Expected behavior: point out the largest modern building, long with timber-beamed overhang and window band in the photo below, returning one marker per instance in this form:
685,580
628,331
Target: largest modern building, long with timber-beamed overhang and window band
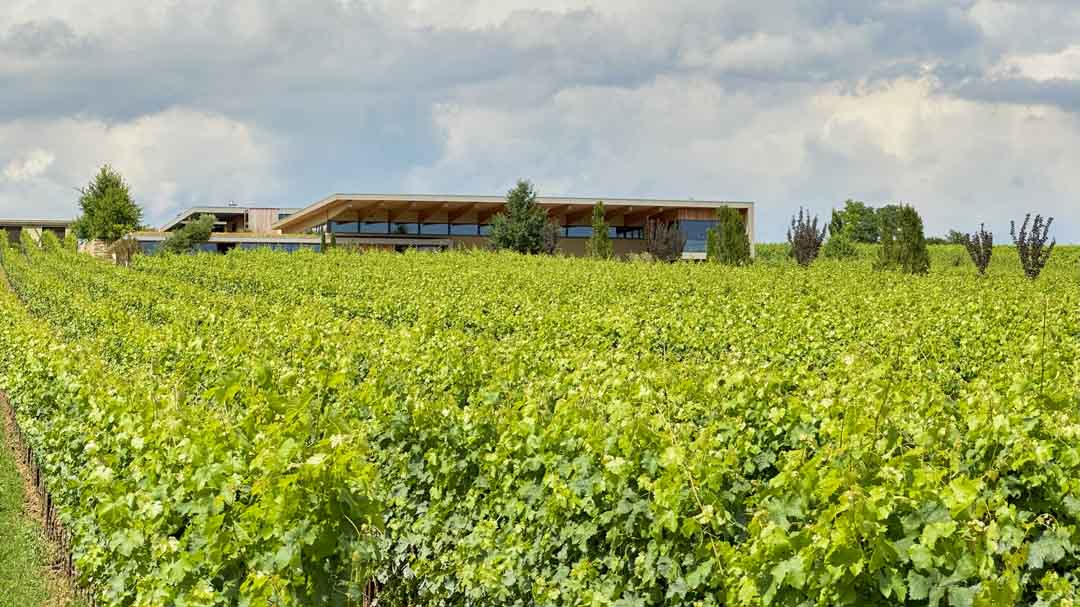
443,222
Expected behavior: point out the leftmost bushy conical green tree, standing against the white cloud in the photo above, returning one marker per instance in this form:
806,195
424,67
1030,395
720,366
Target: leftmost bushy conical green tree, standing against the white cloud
109,212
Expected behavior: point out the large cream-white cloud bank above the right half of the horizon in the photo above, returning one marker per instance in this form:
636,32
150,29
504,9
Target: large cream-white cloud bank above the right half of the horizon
958,161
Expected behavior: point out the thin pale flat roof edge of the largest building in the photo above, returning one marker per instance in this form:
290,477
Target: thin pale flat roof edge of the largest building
325,206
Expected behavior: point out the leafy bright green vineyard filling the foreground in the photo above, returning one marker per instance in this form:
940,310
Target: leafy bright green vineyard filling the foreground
471,429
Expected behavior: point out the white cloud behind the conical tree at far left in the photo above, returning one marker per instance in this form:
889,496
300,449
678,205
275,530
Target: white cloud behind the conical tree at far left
172,159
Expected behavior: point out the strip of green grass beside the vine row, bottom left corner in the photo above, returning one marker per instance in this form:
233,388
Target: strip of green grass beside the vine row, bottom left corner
22,547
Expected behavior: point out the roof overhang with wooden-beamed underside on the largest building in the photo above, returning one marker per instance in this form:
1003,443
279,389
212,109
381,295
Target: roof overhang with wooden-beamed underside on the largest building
334,206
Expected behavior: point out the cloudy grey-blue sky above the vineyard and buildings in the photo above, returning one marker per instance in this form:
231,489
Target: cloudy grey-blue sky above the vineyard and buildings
966,110
